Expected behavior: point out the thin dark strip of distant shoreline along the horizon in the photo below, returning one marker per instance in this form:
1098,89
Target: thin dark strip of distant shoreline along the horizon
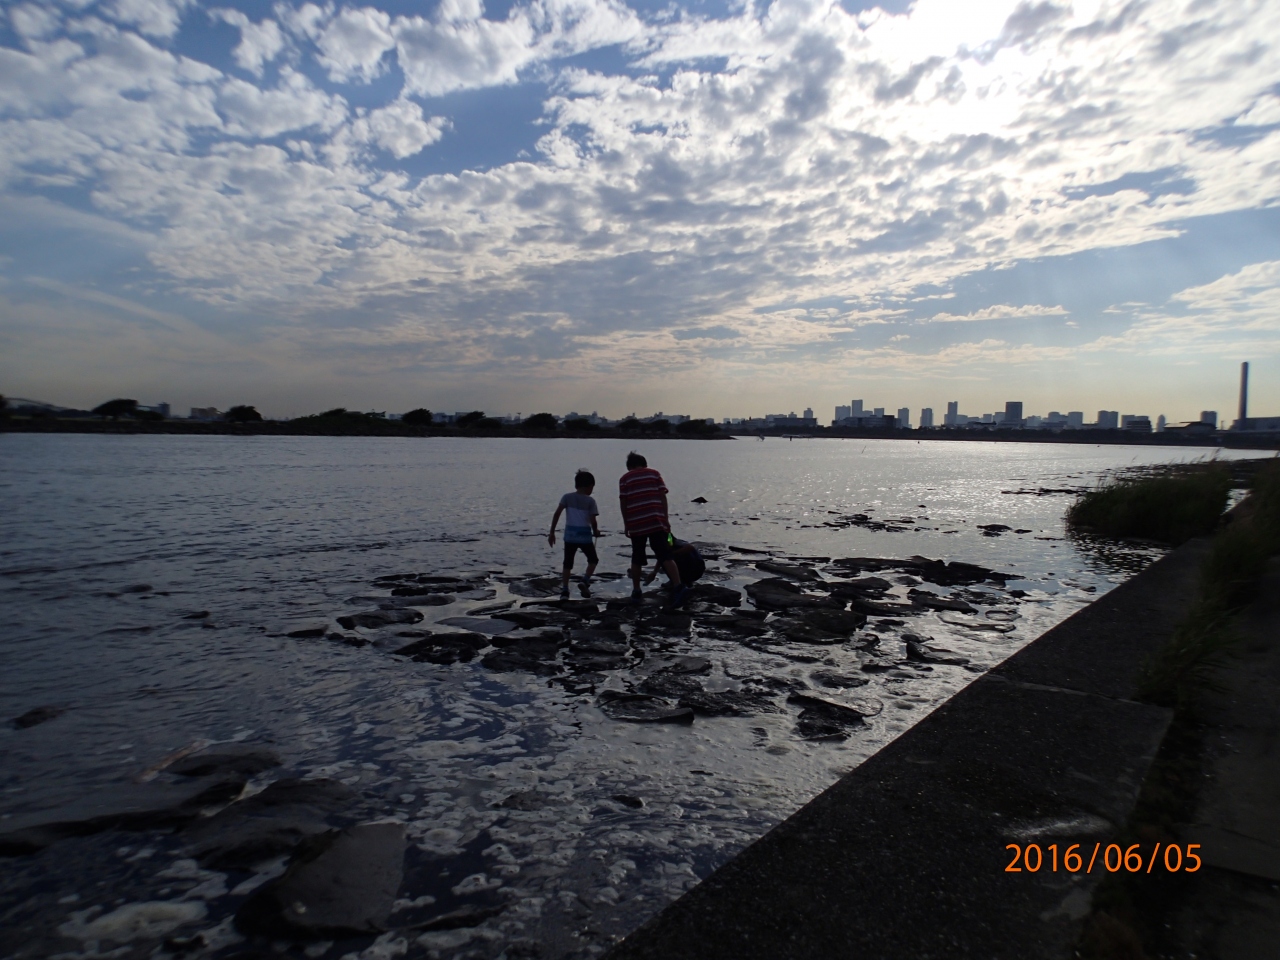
394,428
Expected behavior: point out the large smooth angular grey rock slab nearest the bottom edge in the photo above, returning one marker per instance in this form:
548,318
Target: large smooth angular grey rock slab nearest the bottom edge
339,884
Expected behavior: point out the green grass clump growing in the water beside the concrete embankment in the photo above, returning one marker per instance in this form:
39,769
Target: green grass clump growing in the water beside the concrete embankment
1171,508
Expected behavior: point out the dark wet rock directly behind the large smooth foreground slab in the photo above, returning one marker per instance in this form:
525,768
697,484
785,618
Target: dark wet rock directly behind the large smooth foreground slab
268,824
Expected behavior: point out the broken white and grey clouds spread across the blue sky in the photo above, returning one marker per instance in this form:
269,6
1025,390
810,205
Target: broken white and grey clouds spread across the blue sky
687,171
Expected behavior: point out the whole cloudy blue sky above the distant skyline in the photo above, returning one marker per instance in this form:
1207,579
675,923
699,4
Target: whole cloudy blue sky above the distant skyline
706,208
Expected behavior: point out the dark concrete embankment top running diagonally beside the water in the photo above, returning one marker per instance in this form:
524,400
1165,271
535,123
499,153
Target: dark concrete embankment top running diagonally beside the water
907,856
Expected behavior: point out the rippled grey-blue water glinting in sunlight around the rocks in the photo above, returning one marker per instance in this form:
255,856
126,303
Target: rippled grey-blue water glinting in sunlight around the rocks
271,534
